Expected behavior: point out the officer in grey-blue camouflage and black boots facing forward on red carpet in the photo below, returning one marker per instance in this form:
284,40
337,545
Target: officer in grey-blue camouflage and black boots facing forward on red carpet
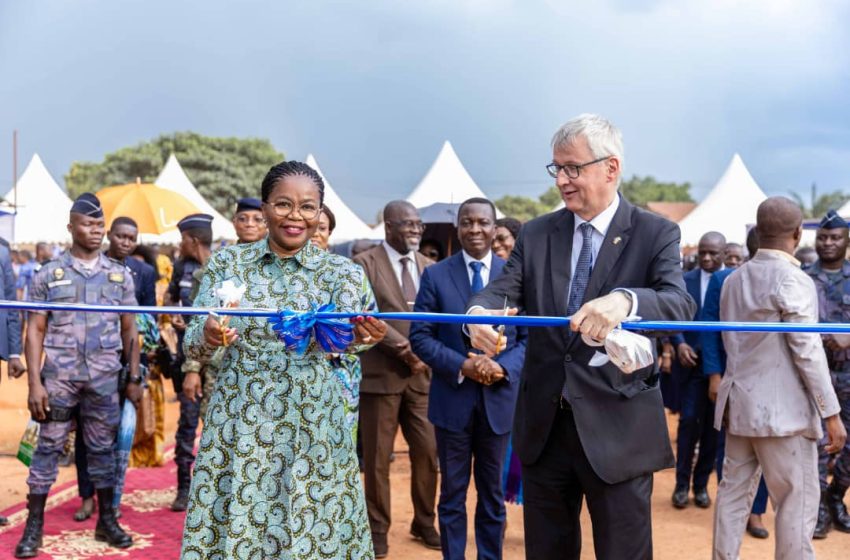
82,363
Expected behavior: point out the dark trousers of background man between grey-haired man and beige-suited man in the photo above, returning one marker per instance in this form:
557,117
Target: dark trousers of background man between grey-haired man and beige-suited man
696,425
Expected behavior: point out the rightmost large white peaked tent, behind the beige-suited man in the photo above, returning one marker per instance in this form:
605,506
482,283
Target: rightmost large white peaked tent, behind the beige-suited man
728,208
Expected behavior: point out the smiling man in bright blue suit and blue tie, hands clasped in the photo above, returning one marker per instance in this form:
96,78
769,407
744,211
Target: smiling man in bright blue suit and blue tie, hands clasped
472,397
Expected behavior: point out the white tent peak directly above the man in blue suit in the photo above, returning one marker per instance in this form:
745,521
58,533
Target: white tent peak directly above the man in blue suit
446,181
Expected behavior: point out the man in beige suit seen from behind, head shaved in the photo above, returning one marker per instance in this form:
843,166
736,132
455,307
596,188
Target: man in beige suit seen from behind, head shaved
775,392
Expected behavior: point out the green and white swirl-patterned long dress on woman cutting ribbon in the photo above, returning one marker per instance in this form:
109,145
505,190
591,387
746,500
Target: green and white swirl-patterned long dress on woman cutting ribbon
277,474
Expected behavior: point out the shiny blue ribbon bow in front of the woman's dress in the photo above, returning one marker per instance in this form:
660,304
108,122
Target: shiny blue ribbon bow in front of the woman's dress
296,330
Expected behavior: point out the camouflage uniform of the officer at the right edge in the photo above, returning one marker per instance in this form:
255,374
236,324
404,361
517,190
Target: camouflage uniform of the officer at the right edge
834,307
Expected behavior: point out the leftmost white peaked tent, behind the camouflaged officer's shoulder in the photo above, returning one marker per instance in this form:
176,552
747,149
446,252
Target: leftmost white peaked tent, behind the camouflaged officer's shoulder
43,207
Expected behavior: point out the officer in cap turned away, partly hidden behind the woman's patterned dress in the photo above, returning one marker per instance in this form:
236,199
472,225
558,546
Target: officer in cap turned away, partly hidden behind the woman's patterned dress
195,249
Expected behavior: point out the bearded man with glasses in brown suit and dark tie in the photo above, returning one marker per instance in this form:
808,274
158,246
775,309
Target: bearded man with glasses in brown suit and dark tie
394,390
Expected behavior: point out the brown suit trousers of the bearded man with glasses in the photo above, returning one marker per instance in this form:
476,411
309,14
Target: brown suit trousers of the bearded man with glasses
380,417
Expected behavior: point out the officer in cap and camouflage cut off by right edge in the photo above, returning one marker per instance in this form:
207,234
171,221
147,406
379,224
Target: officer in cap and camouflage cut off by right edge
831,273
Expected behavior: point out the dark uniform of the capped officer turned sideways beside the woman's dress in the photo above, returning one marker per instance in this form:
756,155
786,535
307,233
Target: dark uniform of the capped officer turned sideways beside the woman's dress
187,425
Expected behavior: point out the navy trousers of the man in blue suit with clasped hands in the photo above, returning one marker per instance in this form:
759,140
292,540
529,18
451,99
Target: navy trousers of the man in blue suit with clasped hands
456,450
